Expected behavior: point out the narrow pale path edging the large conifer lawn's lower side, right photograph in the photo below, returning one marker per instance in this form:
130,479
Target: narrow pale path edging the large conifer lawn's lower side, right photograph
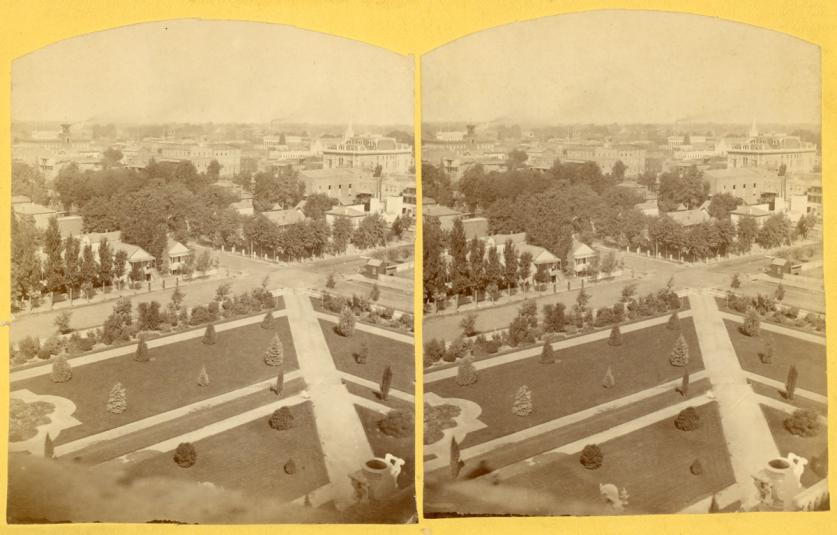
443,458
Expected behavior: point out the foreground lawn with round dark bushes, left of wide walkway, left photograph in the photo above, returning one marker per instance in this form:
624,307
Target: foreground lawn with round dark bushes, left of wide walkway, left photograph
250,458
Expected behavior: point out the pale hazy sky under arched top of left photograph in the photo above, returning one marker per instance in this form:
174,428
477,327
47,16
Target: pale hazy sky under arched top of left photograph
201,71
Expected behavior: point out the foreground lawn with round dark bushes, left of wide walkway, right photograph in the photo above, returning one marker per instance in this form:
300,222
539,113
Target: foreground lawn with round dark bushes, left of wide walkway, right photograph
651,463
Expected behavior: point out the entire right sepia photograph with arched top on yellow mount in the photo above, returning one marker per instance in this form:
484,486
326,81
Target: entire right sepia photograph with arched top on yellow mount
624,307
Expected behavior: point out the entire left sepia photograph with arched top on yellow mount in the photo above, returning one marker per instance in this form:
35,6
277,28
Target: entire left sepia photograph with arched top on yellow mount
212,264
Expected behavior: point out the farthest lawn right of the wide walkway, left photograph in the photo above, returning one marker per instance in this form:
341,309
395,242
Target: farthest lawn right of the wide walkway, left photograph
382,352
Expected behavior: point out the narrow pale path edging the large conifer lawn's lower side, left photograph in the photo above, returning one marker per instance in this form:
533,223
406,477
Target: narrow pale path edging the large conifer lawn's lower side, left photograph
163,417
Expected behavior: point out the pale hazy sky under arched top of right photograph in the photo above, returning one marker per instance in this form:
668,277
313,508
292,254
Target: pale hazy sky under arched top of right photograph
621,66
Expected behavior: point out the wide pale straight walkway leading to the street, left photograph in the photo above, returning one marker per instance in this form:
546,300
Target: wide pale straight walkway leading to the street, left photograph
345,445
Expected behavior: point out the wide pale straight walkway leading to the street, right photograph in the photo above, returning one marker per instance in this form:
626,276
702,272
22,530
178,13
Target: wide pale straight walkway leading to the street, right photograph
749,440
